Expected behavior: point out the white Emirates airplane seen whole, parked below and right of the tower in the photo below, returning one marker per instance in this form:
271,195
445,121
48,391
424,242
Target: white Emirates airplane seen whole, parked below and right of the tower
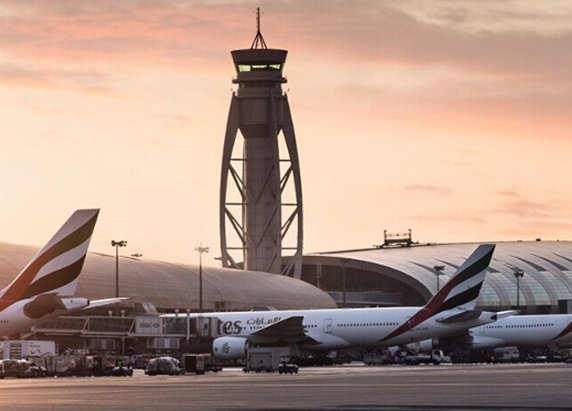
450,311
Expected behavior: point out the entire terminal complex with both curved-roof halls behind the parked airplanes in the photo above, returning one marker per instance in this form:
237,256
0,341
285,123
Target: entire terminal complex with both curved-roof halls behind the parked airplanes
379,276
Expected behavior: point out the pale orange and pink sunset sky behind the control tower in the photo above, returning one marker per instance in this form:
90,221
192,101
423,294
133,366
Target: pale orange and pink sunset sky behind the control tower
452,118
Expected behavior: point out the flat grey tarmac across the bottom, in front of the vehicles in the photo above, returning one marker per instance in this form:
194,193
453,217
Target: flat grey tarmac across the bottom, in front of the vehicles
352,387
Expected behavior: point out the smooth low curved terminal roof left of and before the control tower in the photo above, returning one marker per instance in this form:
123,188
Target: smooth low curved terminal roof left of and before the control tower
171,286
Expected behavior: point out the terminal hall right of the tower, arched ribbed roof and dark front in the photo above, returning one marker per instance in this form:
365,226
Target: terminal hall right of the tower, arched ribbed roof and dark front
534,276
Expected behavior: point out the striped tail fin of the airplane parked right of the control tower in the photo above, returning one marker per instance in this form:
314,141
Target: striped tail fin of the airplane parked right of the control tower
463,288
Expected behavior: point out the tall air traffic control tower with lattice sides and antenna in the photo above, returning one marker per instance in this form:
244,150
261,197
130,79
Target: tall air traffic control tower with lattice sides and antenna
257,224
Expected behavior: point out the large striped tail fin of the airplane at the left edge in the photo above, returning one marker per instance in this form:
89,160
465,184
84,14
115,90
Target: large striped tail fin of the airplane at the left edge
56,267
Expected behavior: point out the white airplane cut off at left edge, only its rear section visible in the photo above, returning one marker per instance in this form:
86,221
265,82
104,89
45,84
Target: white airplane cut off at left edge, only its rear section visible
44,289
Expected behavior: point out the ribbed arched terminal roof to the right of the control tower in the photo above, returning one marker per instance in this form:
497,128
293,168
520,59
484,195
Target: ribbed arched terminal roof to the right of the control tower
547,268
